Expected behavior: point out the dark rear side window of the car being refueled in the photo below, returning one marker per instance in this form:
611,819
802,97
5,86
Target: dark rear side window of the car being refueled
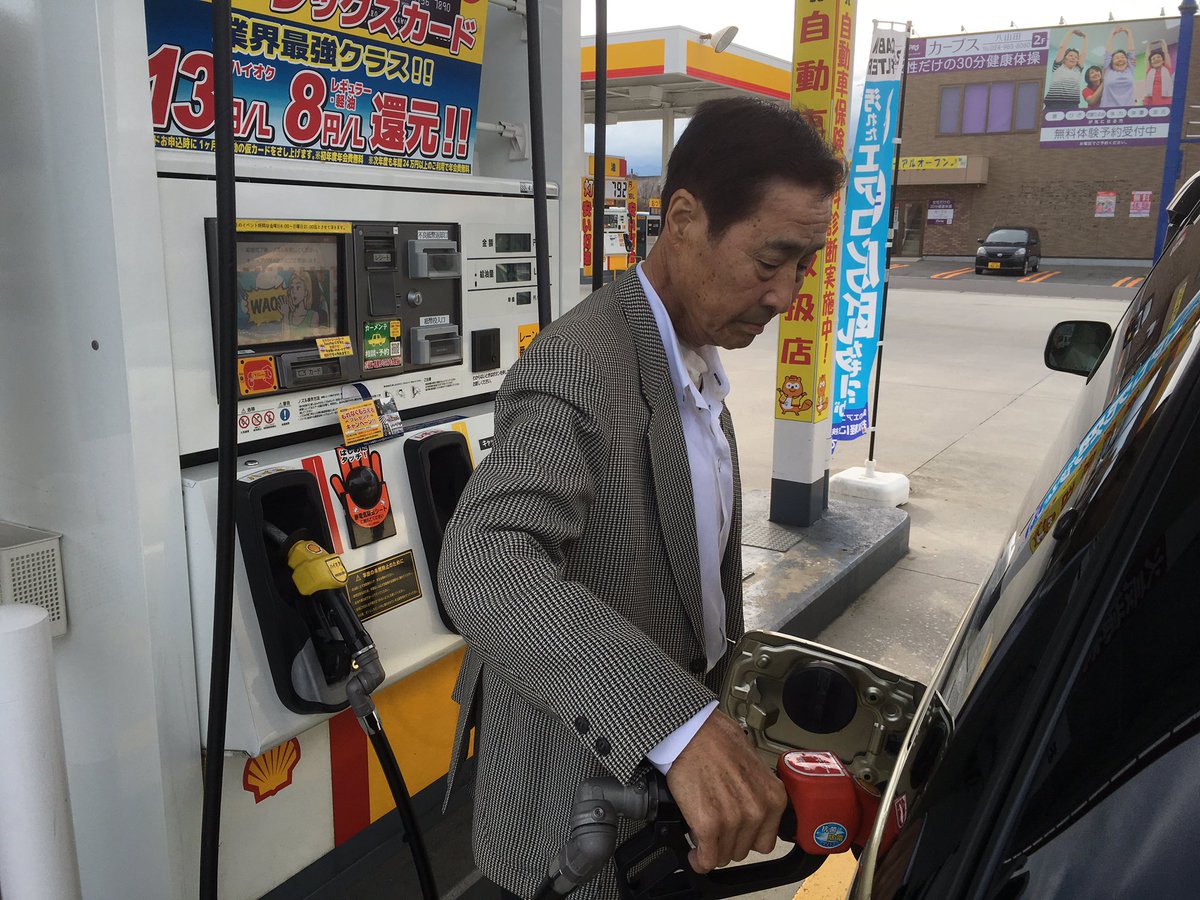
1112,808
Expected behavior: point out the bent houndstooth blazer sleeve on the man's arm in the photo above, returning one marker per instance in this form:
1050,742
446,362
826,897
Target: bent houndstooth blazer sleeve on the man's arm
501,574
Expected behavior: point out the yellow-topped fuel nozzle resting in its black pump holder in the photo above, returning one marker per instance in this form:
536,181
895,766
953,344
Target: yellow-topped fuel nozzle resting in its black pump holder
321,575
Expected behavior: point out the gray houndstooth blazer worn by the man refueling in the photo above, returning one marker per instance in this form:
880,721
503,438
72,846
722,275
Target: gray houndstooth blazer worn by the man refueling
572,569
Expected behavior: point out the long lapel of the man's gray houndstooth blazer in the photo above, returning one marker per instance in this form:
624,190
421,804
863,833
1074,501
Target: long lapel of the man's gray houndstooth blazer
669,452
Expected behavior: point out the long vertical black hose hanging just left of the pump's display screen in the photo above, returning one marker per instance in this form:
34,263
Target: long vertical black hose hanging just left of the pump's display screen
227,449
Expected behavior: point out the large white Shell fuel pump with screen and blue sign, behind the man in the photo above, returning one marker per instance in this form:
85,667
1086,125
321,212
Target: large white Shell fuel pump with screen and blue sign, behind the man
386,263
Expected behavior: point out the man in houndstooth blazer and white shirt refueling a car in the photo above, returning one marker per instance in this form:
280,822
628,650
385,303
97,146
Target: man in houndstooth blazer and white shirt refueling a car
593,563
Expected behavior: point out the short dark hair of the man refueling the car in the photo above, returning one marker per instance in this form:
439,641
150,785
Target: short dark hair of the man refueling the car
735,147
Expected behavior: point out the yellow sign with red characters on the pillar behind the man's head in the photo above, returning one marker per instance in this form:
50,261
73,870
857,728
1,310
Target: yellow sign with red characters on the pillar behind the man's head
821,63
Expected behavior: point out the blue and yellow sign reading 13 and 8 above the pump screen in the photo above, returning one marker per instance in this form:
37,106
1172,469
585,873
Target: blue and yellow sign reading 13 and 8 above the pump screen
382,83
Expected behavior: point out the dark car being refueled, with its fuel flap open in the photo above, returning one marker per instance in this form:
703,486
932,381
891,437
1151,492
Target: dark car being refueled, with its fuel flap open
1057,753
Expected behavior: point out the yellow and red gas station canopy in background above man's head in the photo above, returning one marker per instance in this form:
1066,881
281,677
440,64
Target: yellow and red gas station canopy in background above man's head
657,73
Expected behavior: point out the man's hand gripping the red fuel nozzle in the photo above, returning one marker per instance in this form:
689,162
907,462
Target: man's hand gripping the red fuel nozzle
730,800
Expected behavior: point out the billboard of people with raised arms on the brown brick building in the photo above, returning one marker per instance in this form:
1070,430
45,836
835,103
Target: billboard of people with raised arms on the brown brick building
1097,98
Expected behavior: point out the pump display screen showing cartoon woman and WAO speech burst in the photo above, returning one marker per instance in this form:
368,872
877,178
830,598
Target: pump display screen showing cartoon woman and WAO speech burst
287,290
